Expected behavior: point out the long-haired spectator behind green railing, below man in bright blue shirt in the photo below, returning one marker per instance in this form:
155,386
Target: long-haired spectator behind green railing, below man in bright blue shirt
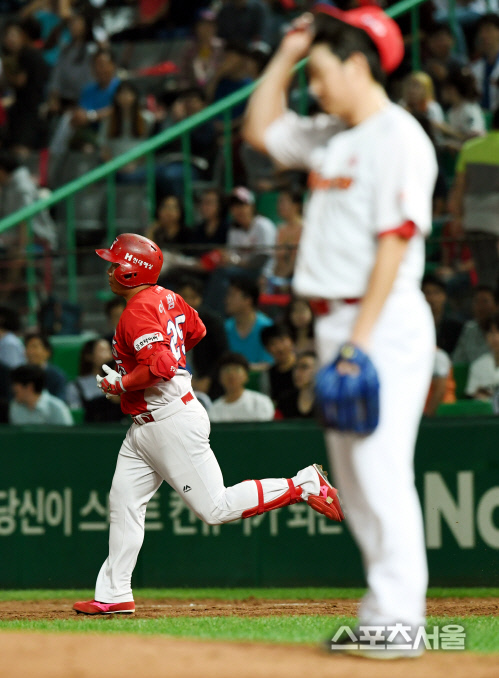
127,125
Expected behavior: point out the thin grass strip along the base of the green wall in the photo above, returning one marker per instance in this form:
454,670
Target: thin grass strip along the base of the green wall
239,593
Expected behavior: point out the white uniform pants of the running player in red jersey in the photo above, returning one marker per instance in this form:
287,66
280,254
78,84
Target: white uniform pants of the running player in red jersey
175,449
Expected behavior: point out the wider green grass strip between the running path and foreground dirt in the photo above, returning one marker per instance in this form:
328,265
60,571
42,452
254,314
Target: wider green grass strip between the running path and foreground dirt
482,632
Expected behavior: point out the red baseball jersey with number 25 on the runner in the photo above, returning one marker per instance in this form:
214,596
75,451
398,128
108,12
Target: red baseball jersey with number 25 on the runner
155,315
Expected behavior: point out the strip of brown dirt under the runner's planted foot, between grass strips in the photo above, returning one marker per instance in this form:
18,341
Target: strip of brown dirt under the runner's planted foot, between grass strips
253,607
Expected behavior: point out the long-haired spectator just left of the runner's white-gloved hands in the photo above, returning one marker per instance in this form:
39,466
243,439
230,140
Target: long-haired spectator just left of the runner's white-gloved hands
83,392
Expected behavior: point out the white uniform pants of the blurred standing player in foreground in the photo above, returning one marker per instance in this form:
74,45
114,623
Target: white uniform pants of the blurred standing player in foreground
374,474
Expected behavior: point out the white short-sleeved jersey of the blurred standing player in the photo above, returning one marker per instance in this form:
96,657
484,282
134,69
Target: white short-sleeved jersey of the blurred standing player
365,181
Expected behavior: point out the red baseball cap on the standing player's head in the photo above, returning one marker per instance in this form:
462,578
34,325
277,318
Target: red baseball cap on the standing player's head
382,30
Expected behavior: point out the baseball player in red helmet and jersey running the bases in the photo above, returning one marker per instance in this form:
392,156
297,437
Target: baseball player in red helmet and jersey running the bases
169,437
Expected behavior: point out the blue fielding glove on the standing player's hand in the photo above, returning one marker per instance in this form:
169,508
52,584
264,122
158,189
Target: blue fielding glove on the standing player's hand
349,402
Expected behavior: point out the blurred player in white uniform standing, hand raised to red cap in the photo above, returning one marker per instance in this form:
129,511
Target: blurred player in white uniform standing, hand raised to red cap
372,172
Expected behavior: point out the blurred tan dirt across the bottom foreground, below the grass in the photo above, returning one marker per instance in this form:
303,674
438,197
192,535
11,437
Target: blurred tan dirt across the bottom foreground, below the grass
42,655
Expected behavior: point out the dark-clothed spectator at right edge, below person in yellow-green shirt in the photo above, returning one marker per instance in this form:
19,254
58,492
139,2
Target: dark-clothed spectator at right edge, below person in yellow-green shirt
472,342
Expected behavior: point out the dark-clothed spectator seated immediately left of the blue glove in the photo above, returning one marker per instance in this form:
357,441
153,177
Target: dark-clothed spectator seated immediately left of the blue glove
299,403
